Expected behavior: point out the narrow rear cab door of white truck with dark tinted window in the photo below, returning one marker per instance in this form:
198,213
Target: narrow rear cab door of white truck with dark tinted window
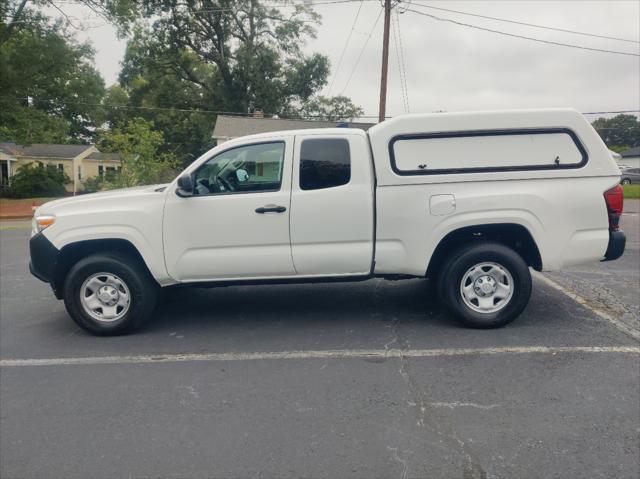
332,205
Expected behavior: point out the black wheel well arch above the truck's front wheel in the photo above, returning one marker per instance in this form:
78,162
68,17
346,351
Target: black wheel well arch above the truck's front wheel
74,252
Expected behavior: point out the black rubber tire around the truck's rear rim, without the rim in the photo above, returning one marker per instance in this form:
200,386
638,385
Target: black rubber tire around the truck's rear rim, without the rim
461,261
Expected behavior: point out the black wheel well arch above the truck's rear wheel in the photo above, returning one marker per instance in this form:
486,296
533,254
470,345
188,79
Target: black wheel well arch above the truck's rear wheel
514,236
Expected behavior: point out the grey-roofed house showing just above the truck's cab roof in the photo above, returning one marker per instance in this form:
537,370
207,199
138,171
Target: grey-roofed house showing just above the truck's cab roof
229,127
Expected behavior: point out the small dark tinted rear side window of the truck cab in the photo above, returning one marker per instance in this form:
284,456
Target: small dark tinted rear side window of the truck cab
324,163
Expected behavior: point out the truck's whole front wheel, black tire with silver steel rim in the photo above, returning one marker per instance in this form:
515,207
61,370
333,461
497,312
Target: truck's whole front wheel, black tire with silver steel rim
129,289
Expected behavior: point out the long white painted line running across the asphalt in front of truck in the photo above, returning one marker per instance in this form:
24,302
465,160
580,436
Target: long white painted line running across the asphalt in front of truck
330,354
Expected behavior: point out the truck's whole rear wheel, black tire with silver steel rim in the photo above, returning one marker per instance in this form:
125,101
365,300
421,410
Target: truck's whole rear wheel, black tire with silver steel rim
493,266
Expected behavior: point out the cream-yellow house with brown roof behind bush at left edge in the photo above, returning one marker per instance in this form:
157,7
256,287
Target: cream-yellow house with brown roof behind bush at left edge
79,162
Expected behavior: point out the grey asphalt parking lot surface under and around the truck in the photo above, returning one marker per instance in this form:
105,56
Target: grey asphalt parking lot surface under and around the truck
369,379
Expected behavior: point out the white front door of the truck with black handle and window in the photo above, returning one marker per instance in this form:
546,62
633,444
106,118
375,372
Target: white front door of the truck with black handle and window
236,226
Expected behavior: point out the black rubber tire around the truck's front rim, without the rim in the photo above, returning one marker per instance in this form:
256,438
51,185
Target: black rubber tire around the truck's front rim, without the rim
142,288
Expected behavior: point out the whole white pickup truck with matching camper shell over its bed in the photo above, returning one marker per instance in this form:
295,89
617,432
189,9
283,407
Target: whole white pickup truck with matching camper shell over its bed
471,199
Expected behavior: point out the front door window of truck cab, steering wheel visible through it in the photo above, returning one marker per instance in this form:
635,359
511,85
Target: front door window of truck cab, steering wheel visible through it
245,169
